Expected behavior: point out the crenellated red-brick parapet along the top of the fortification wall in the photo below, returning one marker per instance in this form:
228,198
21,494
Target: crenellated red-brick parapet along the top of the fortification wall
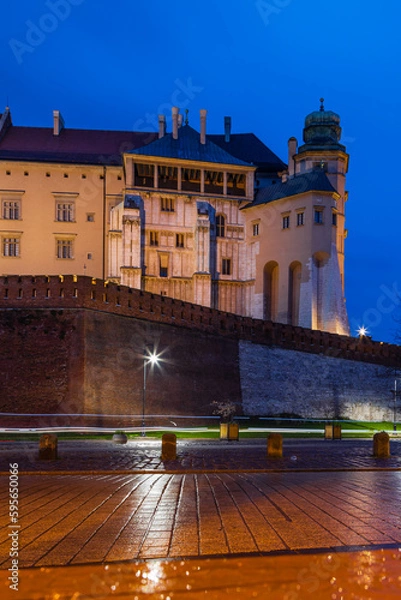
83,292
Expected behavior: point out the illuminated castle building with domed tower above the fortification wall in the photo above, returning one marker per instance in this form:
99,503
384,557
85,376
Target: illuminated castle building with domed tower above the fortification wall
216,220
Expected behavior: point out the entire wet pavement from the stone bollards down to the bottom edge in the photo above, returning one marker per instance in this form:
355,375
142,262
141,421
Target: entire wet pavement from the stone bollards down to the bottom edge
223,519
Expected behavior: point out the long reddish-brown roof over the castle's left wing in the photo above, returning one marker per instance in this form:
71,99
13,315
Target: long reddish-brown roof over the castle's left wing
82,146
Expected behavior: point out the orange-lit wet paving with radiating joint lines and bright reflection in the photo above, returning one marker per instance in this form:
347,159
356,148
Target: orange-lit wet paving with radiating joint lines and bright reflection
88,518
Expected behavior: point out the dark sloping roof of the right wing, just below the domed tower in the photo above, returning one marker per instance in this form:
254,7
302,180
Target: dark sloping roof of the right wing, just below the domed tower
315,181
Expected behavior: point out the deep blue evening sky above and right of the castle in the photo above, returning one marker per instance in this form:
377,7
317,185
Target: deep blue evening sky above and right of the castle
266,63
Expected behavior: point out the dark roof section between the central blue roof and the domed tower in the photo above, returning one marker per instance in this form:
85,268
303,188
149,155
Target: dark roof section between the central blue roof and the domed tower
248,147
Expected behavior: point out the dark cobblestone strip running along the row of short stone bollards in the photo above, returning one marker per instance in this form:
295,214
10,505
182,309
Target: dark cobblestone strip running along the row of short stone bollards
200,455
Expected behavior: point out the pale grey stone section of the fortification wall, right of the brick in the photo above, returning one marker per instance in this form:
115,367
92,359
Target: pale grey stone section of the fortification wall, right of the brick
276,381
